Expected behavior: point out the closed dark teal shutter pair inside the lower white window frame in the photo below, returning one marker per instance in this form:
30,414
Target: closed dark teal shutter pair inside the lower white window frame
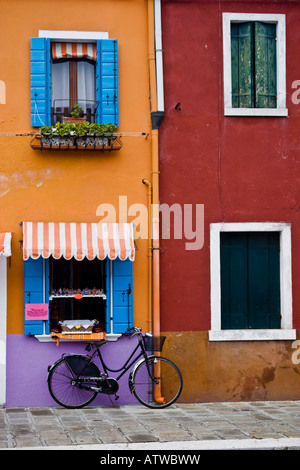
250,280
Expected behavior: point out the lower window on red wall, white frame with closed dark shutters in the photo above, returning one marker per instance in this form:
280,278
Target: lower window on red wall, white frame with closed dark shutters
251,281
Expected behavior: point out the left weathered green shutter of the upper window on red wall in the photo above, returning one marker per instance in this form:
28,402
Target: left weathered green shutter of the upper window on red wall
242,65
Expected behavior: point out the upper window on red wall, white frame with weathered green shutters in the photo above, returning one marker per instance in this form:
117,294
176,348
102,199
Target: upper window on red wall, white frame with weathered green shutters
254,64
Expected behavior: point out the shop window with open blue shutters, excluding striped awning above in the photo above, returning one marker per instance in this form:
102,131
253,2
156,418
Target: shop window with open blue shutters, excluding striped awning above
110,303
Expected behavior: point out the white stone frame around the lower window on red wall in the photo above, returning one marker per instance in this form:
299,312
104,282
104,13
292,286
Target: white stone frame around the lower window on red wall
286,332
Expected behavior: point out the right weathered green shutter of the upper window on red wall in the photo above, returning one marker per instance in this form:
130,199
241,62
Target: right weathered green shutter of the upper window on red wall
265,65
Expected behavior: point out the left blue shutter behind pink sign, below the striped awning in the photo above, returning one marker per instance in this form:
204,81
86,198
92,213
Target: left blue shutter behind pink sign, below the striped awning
36,290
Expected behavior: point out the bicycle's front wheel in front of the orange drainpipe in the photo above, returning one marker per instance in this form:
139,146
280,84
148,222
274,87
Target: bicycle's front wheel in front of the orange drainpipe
156,382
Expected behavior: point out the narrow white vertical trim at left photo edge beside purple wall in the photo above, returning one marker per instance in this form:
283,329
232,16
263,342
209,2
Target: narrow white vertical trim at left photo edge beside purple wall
3,315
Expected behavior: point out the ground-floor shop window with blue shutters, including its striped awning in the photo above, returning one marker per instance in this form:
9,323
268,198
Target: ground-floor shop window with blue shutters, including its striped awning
78,271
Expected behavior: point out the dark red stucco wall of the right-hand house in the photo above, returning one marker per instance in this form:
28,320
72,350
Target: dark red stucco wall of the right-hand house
243,169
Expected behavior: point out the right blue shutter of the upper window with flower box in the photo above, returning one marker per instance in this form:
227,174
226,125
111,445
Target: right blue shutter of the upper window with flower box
107,82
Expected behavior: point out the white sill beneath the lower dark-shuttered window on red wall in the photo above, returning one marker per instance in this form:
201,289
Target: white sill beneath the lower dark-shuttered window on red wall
251,335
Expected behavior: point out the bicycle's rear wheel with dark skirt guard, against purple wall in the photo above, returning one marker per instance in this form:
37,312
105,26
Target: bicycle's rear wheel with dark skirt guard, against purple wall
63,383
